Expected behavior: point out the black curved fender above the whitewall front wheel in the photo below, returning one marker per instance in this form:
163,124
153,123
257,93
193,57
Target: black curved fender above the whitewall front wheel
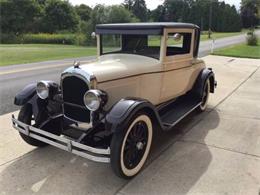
122,112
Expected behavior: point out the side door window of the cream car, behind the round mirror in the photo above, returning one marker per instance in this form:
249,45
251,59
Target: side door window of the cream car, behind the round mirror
178,43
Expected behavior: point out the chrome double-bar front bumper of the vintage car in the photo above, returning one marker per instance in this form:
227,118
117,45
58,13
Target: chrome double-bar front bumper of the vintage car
64,143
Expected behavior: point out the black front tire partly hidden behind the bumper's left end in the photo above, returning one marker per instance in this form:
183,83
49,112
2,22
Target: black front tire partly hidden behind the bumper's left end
25,116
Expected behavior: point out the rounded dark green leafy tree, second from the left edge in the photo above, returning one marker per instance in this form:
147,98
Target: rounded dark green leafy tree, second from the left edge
59,16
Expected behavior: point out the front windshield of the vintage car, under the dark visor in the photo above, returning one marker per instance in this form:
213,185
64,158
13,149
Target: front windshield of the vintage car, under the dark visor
145,45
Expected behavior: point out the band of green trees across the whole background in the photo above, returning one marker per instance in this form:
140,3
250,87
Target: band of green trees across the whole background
57,16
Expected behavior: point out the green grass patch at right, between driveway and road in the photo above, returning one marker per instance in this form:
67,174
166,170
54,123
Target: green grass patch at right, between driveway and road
241,50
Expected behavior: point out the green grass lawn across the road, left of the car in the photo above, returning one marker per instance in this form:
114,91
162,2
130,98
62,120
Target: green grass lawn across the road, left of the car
18,53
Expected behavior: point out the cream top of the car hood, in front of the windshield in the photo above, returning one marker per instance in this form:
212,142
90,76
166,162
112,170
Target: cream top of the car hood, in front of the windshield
114,66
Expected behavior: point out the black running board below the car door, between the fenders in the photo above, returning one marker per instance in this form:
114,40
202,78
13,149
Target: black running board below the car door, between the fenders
177,110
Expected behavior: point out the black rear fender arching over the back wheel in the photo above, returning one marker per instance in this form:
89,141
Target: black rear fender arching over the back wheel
206,73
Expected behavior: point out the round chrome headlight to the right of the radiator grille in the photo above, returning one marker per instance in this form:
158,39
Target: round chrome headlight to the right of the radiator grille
94,99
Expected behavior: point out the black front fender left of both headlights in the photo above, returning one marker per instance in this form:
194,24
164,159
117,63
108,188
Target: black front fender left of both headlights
25,95
